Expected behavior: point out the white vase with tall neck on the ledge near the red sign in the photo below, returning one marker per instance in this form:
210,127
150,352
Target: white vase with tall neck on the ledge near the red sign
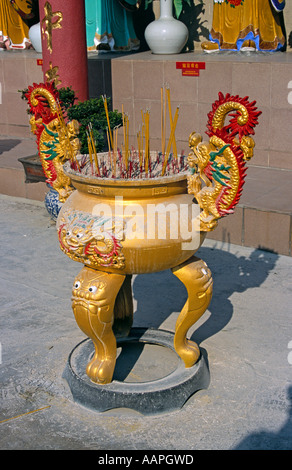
166,35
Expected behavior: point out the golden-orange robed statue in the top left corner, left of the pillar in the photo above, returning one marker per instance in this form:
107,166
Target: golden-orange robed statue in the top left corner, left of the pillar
13,28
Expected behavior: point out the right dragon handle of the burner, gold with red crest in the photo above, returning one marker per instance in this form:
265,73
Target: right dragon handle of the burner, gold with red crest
218,167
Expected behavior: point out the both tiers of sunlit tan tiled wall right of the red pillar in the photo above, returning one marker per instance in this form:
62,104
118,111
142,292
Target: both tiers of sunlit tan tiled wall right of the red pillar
263,217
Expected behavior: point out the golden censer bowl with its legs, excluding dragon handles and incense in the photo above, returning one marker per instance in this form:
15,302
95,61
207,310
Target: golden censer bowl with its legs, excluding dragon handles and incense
111,254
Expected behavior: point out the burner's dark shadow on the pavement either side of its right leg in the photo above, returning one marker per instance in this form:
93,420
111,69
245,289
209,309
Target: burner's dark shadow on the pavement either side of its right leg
230,274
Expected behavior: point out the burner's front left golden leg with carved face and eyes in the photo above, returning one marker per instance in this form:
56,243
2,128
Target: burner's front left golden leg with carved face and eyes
94,295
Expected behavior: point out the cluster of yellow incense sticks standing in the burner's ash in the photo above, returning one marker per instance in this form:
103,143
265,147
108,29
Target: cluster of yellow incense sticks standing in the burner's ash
129,162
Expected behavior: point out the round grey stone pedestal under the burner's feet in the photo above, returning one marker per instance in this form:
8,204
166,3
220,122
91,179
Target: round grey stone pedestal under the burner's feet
149,376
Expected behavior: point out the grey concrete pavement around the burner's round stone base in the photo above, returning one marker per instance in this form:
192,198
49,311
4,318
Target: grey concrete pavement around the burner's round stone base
245,335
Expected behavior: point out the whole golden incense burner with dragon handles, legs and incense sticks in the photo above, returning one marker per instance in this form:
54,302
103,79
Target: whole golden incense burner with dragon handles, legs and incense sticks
117,226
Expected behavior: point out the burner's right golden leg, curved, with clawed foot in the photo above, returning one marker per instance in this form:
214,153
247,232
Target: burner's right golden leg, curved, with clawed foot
196,277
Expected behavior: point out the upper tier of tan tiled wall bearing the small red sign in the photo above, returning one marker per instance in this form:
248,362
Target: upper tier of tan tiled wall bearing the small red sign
137,81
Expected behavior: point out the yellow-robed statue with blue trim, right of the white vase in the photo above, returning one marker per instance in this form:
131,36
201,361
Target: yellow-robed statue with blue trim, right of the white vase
247,25
